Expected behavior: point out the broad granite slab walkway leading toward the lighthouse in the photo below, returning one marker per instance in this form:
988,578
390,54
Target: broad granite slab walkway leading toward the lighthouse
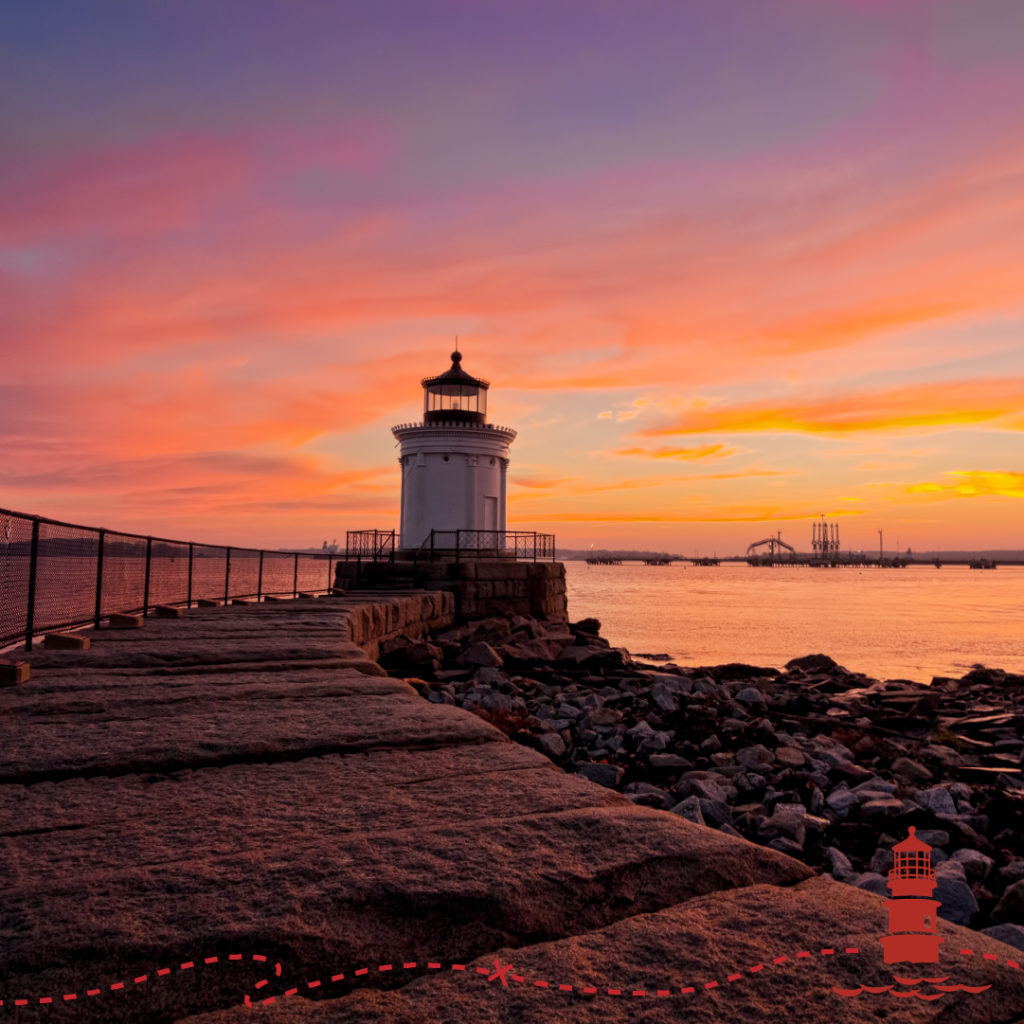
240,804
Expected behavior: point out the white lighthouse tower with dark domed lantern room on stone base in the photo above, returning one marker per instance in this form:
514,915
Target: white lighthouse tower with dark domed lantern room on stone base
454,463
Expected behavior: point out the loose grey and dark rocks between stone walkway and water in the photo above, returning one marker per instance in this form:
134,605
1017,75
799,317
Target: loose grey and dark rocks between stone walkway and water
827,765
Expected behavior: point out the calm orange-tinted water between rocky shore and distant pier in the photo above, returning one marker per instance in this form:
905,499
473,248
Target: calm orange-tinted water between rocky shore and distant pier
907,624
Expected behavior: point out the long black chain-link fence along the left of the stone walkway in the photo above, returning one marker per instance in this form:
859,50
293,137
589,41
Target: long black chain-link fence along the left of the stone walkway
57,576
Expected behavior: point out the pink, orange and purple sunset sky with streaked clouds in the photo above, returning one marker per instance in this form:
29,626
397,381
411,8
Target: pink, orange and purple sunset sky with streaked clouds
729,265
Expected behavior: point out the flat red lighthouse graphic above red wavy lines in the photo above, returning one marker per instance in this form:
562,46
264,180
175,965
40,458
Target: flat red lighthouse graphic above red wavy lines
913,917
